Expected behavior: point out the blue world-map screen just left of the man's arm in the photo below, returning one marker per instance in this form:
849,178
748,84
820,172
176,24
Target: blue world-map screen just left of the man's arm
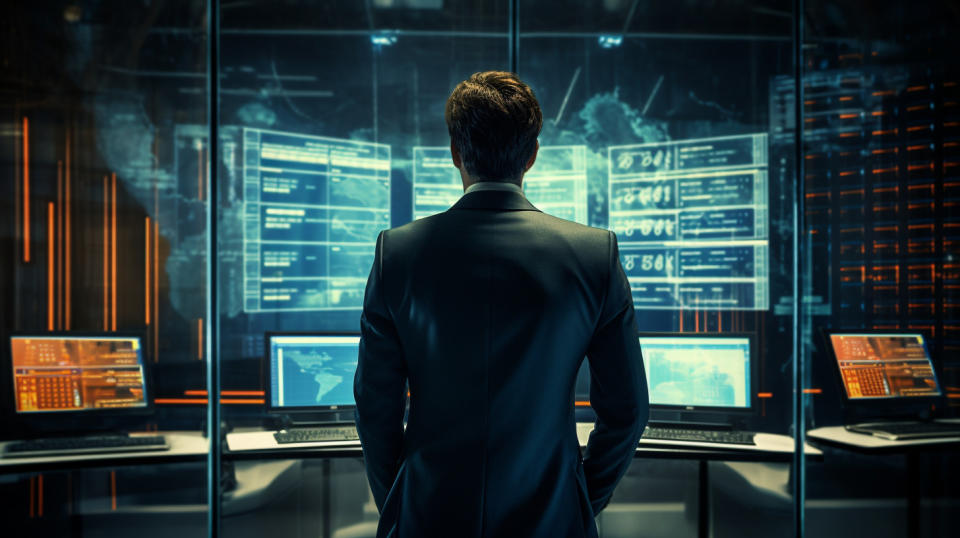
312,371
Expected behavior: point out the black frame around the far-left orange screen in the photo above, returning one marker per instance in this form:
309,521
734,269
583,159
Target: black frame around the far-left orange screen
77,421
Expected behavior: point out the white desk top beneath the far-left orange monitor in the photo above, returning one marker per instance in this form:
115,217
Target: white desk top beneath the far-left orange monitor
184,446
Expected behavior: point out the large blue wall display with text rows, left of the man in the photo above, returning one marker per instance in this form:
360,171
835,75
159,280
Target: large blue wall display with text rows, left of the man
313,209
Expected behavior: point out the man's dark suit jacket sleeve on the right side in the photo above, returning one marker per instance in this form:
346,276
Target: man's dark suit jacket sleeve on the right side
618,388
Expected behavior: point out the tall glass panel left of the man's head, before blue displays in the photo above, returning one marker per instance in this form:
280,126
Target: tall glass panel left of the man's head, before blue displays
326,114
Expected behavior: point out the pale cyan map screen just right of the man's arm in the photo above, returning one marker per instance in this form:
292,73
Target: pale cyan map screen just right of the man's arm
698,371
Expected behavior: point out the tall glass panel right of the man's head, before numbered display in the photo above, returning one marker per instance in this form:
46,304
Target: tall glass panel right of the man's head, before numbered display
683,117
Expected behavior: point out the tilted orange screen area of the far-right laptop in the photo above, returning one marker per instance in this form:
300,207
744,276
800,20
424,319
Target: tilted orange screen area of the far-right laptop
879,365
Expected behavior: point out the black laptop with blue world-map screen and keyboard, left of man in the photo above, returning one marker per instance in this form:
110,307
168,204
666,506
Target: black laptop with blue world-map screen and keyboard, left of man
309,391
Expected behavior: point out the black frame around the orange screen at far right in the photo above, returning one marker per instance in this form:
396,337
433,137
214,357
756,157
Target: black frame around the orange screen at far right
890,404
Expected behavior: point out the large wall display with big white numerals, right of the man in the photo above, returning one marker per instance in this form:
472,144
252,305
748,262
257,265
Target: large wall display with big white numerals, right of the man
691,220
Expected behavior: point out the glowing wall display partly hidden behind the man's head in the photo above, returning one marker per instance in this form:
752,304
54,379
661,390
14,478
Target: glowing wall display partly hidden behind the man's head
556,184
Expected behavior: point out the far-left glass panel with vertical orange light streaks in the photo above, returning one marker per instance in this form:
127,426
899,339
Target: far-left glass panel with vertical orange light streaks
104,241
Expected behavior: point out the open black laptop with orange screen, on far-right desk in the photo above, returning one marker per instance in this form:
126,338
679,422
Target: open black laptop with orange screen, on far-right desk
888,383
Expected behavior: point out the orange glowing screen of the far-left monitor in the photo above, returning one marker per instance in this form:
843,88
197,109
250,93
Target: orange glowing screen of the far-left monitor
77,373
